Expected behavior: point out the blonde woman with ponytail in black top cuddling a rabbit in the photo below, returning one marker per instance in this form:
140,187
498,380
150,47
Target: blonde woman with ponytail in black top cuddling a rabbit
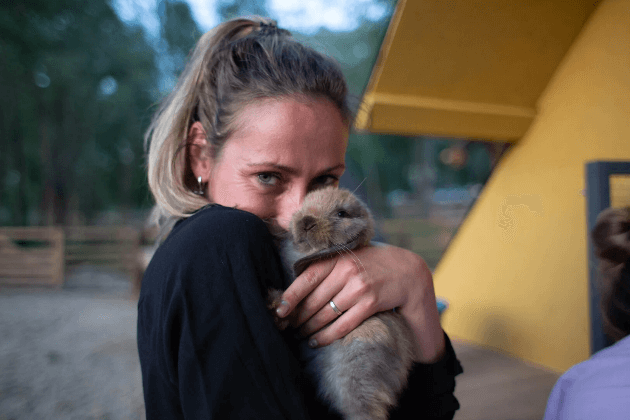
257,121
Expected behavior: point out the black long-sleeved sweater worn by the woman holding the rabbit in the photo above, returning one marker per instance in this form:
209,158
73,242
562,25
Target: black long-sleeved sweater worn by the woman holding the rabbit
208,345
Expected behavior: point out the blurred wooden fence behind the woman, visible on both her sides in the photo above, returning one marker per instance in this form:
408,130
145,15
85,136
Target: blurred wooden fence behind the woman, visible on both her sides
41,255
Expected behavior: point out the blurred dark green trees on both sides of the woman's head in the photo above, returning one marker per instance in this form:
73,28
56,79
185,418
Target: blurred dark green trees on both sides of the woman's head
77,87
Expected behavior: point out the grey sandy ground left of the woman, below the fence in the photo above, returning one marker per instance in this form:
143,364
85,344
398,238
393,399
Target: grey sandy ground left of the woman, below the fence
70,353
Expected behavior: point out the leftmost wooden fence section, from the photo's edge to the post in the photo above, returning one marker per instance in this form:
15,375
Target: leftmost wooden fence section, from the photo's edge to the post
31,256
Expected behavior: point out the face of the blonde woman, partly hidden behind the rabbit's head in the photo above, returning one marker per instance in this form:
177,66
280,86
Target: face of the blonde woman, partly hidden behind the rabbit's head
279,151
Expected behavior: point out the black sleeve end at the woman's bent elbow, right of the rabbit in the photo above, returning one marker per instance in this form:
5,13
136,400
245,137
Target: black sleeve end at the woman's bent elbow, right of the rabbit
430,391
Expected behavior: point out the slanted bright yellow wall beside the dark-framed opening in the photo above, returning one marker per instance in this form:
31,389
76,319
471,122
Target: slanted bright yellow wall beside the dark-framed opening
516,274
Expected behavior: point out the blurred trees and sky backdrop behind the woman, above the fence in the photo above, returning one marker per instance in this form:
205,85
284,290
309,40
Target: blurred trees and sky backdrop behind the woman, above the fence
79,82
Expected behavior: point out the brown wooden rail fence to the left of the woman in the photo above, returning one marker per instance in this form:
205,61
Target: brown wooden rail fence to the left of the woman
41,255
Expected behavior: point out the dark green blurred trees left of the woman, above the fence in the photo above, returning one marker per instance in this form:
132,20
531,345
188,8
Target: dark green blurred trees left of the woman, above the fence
76,84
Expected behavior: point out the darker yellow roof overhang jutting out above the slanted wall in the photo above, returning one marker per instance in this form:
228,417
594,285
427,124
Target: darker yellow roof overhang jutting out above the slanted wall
462,68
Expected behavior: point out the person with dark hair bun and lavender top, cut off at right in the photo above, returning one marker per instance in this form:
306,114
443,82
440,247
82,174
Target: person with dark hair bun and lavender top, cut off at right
599,388
